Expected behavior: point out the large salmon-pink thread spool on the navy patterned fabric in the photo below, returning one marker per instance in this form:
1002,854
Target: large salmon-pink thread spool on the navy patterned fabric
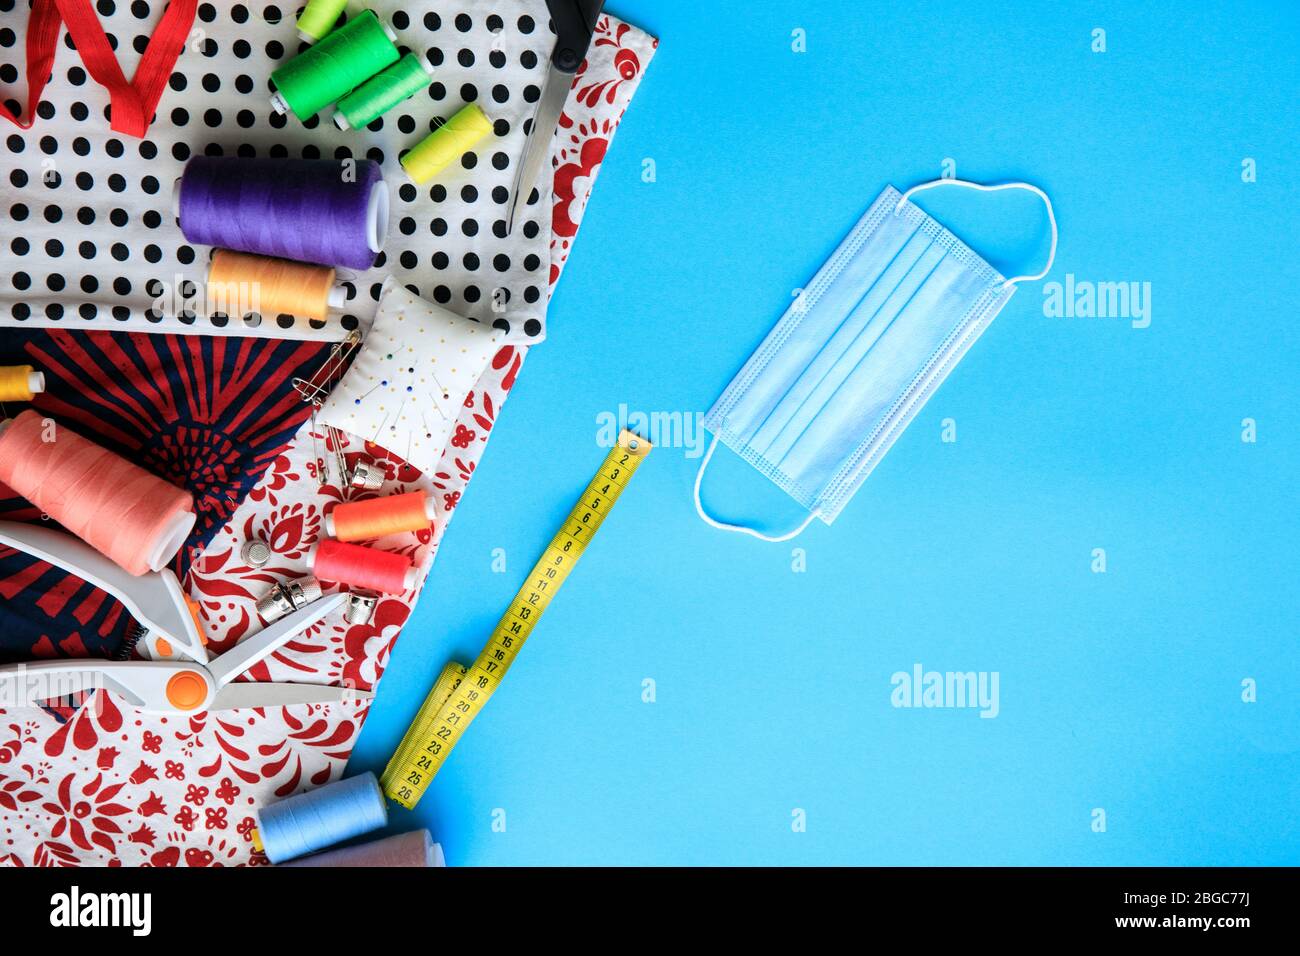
135,518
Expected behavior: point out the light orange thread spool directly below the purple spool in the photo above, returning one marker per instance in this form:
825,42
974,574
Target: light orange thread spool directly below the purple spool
242,283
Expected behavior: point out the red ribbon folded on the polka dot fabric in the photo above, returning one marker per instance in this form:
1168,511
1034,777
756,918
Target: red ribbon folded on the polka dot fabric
133,103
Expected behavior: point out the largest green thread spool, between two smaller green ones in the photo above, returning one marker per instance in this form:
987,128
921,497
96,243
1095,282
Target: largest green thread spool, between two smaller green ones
345,59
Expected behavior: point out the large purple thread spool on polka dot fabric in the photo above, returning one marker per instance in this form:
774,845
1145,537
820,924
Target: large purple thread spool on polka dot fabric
332,213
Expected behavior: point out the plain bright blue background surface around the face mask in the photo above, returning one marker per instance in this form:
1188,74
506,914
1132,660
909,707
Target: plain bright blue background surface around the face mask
1119,691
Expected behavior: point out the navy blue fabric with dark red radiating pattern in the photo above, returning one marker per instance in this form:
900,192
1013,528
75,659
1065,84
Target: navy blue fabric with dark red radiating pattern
209,413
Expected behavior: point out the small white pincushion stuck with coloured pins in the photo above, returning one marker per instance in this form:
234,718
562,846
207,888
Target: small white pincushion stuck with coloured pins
411,378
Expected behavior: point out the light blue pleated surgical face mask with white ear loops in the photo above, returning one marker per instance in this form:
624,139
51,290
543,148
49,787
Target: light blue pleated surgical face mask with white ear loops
859,354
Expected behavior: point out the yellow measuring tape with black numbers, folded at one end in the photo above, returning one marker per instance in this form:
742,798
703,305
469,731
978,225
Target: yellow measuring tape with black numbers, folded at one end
461,693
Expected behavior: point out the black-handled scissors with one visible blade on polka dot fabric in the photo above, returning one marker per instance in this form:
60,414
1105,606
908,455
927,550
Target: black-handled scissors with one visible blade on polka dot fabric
575,23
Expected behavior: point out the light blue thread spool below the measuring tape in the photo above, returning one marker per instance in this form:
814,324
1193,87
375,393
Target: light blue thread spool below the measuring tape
322,817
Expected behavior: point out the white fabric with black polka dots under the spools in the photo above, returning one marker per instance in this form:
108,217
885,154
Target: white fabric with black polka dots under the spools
93,241
